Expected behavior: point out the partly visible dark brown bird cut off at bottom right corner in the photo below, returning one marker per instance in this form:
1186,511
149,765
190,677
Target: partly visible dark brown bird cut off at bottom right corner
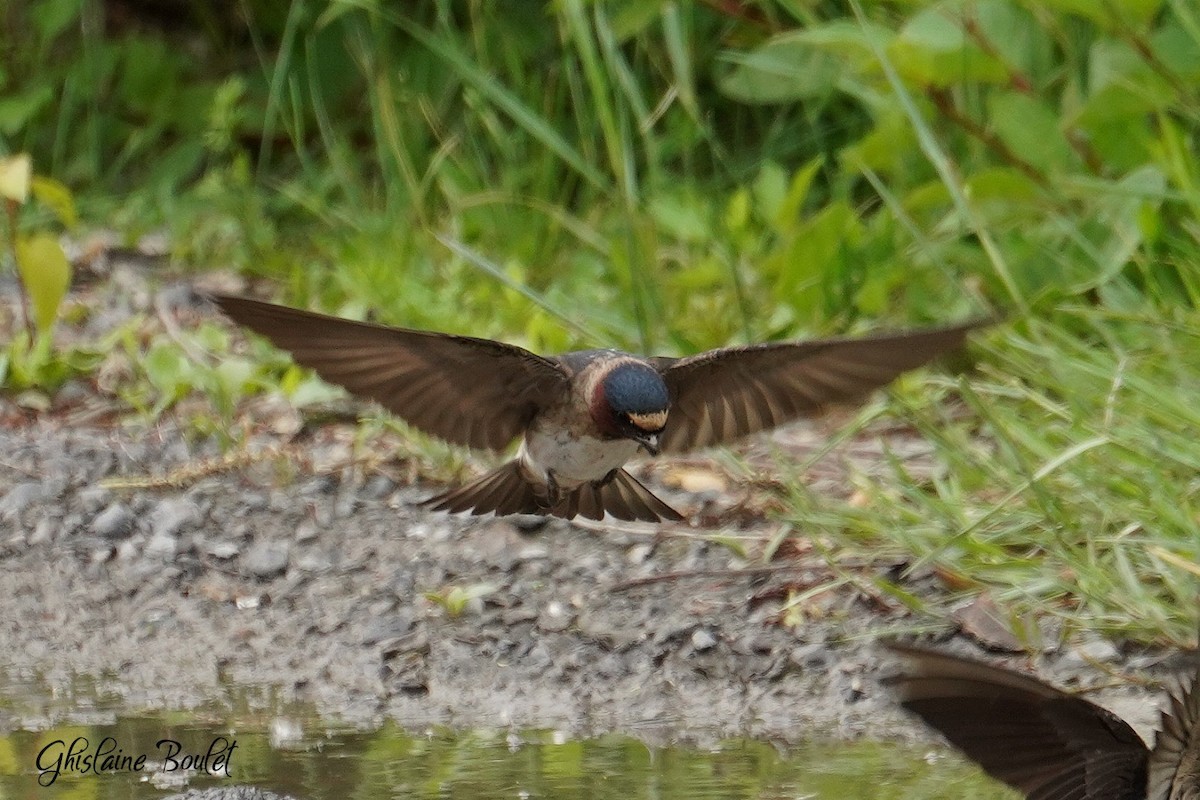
1047,743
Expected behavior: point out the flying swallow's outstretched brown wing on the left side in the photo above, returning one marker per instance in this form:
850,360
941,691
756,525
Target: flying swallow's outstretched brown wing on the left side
469,392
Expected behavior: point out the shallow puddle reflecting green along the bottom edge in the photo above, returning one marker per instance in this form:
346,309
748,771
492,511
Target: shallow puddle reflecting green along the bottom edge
292,753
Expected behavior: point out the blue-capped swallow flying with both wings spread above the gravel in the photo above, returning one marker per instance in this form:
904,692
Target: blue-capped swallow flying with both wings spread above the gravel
581,416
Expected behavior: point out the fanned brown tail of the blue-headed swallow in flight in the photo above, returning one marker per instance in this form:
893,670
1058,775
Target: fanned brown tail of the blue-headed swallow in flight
507,491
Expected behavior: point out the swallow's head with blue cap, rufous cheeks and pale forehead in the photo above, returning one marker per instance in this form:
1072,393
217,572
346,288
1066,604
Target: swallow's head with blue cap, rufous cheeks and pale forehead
631,402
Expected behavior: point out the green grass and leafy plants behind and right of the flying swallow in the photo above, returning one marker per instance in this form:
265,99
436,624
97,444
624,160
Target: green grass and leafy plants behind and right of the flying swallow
674,177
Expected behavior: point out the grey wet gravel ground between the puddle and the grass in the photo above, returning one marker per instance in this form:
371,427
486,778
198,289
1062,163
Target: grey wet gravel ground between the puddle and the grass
311,575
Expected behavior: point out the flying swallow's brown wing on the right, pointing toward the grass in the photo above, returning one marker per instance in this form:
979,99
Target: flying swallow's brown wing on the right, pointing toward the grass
728,394
